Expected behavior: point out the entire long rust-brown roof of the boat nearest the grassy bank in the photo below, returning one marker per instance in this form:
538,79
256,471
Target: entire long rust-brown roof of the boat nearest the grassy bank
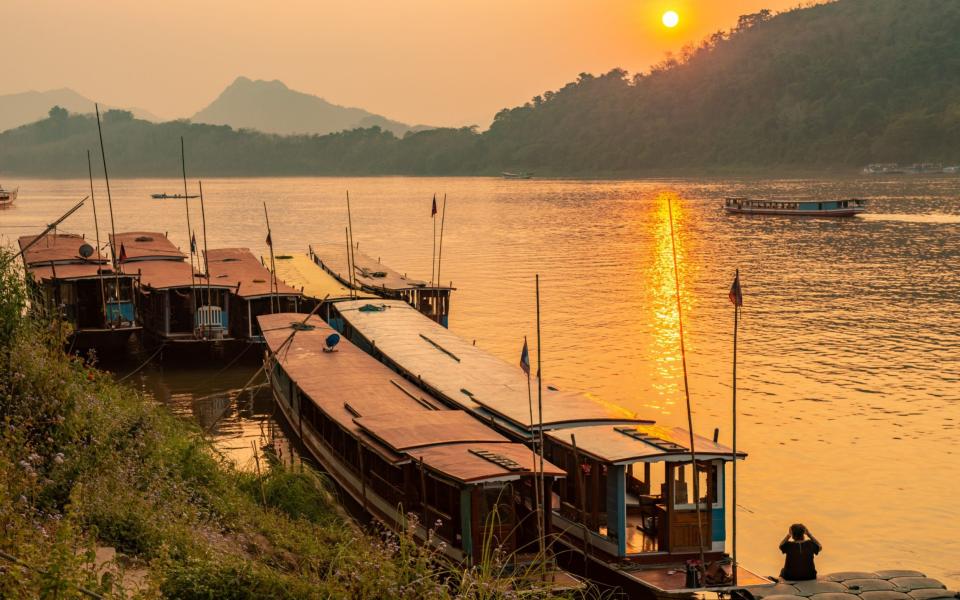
374,403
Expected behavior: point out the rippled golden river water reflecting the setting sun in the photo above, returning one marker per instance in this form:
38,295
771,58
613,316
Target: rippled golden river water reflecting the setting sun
849,353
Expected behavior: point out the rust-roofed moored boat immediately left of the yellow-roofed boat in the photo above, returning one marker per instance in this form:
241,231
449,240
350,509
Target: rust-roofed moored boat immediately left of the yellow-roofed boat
252,293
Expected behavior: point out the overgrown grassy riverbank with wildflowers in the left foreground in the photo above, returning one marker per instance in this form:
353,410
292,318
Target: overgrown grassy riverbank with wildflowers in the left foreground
87,464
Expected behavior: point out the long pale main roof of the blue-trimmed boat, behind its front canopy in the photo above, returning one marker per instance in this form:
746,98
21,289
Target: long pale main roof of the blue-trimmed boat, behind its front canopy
466,375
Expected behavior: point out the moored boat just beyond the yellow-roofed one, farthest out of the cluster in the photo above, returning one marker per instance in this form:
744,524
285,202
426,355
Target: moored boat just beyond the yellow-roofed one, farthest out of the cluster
374,277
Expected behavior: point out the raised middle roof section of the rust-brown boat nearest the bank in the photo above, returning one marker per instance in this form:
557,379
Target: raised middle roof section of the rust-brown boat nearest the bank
401,431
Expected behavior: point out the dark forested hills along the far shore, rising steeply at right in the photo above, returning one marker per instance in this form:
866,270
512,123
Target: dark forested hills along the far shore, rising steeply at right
835,85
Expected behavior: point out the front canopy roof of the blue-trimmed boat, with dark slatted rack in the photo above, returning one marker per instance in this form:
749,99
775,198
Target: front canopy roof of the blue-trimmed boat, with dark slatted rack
641,443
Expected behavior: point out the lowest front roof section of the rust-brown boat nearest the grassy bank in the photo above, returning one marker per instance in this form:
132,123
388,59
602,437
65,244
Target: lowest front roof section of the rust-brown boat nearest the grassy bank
466,462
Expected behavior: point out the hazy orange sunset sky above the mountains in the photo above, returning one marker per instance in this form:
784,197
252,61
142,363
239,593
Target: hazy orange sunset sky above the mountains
440,62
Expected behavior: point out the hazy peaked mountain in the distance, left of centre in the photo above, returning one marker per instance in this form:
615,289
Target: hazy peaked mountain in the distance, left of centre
272,107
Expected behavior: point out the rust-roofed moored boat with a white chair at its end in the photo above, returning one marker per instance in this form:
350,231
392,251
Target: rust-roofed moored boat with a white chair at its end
178,305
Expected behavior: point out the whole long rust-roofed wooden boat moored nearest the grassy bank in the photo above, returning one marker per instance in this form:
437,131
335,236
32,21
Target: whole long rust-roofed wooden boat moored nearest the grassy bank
397,451
